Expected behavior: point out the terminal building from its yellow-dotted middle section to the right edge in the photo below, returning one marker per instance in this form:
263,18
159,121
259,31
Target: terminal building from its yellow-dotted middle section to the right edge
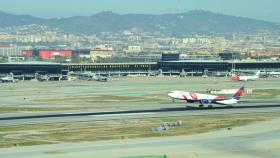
177,66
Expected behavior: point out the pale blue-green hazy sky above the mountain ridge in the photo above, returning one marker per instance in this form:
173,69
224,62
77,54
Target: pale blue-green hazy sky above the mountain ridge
268,10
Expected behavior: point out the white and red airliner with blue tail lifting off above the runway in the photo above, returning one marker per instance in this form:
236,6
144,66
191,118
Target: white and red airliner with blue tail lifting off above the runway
192,97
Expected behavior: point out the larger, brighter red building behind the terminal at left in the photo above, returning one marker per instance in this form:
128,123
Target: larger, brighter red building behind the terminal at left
51,54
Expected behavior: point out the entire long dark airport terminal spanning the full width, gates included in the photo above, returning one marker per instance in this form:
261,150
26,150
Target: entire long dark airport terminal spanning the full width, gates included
57,71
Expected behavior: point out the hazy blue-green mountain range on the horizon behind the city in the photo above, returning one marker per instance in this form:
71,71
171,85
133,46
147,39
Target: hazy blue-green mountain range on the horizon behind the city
197,21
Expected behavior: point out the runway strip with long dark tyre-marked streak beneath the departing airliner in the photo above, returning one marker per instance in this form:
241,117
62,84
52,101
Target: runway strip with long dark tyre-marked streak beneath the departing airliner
77,116
